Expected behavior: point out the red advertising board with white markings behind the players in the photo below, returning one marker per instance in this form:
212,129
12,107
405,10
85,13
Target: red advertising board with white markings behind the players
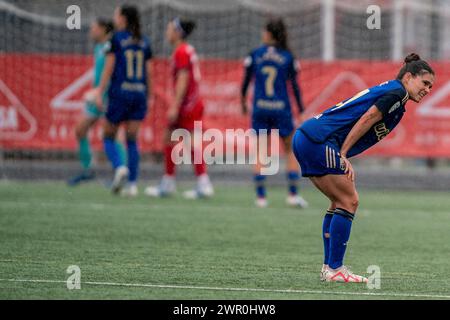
41,101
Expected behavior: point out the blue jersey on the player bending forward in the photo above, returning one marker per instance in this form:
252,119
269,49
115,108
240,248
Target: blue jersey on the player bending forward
334,124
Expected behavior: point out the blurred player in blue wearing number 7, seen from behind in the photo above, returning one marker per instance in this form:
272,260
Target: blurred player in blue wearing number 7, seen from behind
271,66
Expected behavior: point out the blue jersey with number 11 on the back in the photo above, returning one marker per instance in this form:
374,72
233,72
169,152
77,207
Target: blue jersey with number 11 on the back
129,75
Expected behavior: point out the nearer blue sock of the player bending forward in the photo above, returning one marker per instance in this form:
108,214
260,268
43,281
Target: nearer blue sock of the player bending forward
340,227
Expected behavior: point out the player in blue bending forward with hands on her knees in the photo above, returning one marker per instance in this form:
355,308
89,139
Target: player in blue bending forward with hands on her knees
324,143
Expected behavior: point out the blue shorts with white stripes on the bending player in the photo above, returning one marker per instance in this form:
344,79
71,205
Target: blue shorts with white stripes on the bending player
316,159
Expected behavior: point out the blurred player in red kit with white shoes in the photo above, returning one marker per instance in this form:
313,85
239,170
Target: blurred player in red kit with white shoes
186,108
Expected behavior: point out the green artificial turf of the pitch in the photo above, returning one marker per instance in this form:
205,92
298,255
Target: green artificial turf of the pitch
220,248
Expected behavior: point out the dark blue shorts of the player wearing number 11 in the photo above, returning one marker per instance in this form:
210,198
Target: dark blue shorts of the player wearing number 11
126,107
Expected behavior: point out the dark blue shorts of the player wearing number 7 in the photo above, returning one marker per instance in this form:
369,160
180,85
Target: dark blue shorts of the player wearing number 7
280,121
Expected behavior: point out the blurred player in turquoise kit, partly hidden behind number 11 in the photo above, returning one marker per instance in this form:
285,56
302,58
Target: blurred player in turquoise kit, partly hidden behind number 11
100,33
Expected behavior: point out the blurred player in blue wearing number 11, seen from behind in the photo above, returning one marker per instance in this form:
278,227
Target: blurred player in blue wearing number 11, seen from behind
128,70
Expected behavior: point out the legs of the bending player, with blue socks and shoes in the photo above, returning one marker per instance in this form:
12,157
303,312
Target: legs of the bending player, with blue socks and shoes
344,202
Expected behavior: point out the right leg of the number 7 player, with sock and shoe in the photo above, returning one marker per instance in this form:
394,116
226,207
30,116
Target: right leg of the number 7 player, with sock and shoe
293,175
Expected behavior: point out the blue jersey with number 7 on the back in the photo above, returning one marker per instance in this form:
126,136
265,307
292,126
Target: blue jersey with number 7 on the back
271,68
